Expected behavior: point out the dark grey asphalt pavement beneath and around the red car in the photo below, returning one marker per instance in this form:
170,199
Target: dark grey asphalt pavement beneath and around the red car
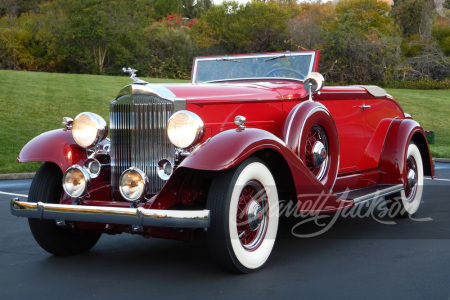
359,257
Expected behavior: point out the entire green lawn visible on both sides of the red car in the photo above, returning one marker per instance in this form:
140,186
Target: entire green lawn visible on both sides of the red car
32,103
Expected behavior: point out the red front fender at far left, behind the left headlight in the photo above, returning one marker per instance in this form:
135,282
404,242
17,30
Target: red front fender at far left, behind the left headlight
57,146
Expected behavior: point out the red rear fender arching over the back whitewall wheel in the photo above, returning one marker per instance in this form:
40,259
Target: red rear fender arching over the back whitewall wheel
392,163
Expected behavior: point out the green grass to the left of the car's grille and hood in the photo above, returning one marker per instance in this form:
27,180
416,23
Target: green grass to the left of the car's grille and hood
32,103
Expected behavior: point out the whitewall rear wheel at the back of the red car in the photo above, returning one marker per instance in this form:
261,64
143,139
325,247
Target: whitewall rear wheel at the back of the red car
407,202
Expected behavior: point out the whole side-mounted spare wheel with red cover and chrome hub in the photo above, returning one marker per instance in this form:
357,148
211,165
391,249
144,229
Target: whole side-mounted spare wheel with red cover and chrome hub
311,133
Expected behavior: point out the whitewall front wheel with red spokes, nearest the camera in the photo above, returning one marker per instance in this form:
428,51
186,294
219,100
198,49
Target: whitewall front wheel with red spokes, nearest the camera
244,210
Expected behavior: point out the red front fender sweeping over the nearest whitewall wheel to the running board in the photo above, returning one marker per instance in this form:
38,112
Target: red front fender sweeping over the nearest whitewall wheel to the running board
229,148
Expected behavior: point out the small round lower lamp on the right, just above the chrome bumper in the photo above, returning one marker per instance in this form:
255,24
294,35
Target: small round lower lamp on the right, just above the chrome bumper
133,184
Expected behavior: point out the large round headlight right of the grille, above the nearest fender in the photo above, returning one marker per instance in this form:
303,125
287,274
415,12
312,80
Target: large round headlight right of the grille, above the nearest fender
185,129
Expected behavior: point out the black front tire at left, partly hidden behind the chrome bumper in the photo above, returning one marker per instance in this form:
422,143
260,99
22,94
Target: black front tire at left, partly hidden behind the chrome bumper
60,241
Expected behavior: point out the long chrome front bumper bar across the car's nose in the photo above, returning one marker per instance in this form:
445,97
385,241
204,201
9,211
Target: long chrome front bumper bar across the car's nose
112,215
